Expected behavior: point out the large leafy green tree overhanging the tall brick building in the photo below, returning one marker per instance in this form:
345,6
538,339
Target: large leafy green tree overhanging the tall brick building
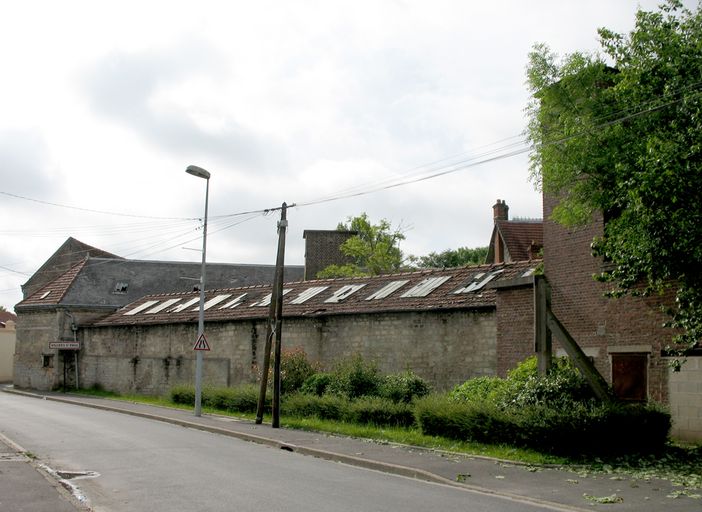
621,133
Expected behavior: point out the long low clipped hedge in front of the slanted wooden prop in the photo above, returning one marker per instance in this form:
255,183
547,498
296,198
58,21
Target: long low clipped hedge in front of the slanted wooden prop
582,429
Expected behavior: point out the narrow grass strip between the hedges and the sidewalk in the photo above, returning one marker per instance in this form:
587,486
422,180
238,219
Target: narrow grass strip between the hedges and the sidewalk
679,464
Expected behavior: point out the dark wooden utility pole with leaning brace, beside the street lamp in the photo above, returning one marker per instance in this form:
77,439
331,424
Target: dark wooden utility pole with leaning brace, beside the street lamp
275,320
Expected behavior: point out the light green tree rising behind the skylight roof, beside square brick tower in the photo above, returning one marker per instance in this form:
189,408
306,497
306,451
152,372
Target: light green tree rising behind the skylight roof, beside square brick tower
374,250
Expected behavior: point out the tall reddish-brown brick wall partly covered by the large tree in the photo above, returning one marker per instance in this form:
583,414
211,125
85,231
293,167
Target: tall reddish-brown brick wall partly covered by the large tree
601,325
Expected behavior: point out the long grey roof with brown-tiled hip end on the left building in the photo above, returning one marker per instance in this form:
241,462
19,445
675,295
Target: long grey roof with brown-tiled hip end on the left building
112,283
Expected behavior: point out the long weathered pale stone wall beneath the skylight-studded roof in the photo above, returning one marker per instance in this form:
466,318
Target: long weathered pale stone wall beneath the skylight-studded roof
446,348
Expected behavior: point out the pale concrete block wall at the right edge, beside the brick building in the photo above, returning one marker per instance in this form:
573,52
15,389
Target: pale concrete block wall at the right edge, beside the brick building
686,400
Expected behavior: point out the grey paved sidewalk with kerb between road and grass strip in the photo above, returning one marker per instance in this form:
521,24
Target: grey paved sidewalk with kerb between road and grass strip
553,488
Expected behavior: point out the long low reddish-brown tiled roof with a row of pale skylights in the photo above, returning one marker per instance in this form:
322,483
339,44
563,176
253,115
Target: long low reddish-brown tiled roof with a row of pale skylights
386,293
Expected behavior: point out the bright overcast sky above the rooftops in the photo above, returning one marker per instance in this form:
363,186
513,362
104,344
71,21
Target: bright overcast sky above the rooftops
410,111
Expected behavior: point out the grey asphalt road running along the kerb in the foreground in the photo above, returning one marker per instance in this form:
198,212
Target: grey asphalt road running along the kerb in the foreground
145,465
